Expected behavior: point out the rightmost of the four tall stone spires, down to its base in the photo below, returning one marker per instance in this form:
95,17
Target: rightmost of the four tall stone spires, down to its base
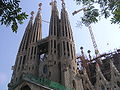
67,52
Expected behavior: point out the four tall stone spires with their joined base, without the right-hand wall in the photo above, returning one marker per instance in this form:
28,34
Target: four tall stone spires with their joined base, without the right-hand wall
51,58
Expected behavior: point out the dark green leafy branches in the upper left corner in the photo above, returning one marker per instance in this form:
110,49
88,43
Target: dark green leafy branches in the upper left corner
11,14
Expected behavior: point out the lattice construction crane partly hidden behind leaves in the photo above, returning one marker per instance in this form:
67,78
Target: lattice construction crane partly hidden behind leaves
91,33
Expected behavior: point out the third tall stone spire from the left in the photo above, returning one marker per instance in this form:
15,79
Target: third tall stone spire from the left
53,42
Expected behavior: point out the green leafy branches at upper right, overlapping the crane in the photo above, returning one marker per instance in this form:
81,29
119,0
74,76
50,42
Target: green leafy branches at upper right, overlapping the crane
97,8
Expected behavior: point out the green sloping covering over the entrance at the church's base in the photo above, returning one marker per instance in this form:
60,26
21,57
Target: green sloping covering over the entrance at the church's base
50,85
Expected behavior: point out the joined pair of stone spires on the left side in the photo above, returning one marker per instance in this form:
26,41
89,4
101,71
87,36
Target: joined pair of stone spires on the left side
26,60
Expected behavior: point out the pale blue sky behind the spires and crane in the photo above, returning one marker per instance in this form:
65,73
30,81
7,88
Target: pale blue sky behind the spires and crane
107,35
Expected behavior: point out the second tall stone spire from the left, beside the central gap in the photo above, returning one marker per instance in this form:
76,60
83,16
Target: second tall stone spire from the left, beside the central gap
32,63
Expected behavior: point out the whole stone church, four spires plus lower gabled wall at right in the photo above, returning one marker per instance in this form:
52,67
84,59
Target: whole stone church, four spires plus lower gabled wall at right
50,63
